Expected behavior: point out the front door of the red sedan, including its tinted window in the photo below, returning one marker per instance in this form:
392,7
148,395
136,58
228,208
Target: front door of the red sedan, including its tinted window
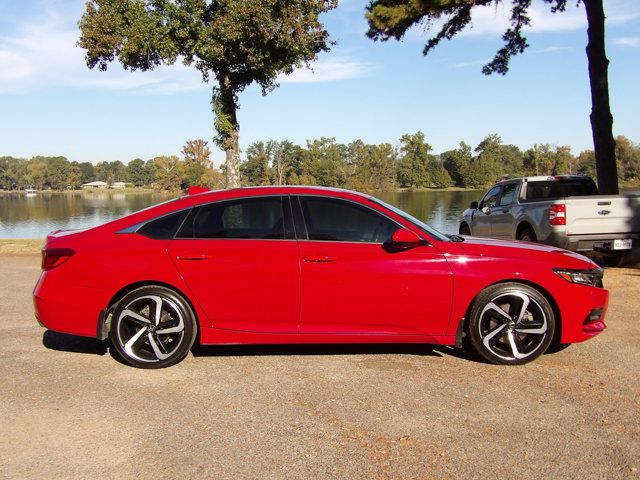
352,282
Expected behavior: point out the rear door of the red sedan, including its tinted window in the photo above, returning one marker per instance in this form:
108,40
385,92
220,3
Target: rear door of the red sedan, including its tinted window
239,259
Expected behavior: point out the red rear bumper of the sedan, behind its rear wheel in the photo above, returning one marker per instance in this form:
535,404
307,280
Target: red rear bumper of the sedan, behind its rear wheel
67,308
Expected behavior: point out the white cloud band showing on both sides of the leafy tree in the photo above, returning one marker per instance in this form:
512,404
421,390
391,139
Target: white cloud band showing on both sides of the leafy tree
43,53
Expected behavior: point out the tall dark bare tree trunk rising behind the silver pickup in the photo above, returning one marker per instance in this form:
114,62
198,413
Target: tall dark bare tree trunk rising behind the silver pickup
601,118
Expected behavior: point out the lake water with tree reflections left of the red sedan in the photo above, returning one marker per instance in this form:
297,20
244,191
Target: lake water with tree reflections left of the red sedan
33,216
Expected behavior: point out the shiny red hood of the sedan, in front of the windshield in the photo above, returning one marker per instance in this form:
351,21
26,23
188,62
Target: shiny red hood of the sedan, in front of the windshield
491,247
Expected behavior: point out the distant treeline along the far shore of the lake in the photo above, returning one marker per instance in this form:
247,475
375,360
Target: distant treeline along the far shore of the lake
359,166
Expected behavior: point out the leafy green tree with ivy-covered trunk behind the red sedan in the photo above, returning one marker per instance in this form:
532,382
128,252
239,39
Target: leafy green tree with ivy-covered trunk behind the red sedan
235,42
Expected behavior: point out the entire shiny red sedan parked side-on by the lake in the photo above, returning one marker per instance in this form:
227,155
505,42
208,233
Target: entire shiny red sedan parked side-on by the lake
269,265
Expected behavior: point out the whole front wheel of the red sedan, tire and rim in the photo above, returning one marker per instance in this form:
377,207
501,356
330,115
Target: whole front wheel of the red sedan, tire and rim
510,324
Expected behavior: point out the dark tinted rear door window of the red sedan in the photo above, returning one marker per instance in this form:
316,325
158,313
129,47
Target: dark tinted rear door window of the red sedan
257,218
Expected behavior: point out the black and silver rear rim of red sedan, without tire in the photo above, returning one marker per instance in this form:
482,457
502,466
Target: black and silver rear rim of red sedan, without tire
150,328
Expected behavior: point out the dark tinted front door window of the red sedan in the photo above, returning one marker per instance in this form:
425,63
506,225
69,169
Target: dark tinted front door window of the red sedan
342,221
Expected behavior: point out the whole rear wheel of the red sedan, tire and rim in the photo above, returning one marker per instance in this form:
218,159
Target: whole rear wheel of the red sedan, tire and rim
152,327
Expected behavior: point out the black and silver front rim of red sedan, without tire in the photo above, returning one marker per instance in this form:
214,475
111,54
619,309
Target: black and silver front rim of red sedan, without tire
513,326
